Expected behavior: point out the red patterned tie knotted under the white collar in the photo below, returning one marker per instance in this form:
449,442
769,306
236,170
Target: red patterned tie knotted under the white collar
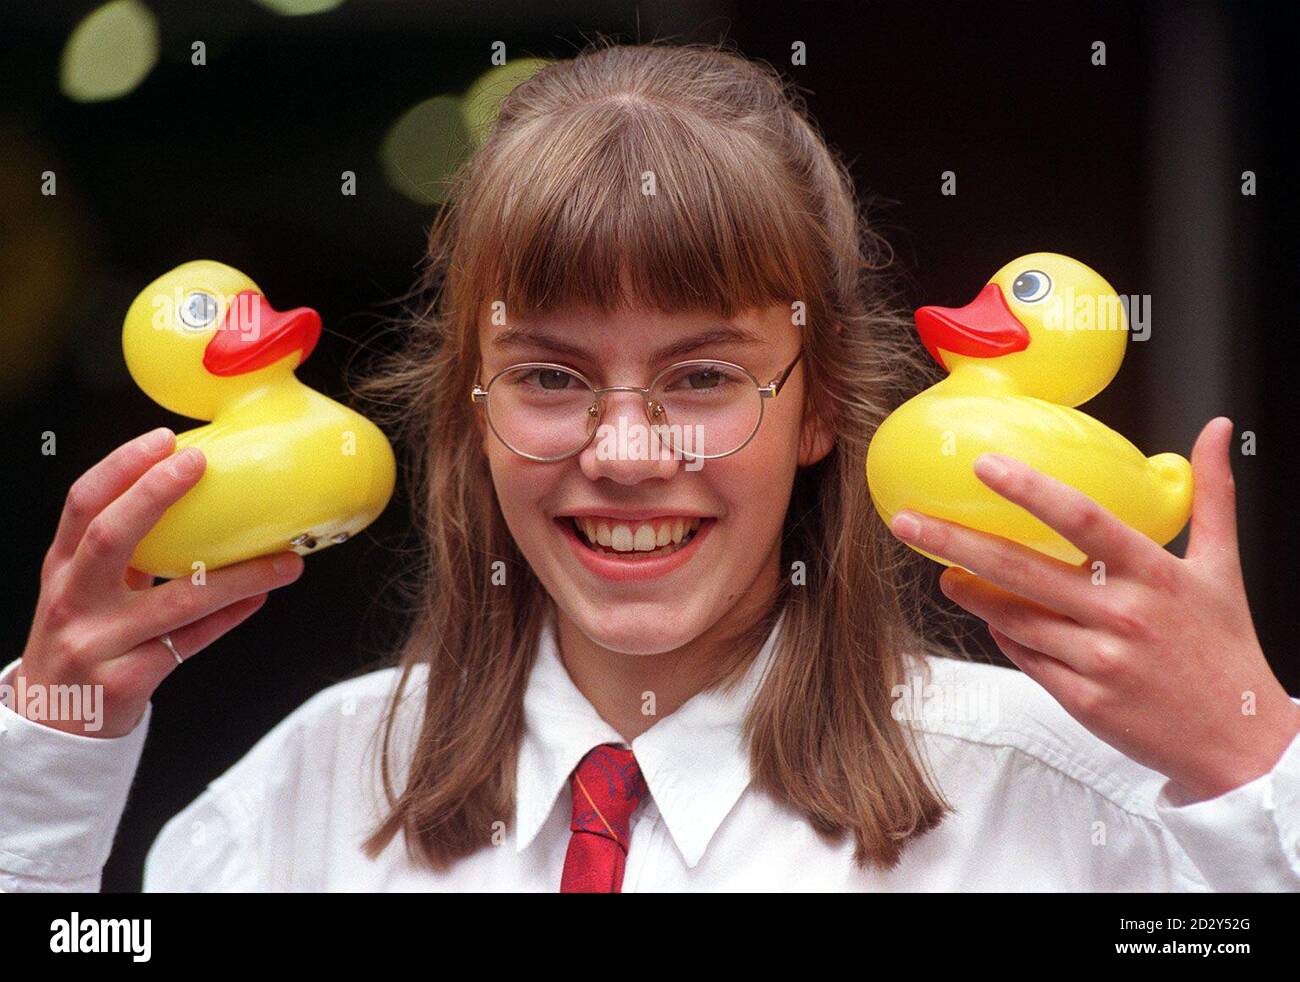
608,786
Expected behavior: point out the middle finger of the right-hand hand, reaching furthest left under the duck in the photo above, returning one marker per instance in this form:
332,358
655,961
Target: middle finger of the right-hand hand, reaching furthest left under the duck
1012,566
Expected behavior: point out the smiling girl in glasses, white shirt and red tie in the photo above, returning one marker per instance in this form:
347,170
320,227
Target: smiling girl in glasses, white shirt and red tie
688,670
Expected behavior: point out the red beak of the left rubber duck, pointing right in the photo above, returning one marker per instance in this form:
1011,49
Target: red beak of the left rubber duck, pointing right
255,335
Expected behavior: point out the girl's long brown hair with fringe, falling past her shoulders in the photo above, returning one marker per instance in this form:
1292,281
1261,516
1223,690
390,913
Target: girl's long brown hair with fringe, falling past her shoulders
751,210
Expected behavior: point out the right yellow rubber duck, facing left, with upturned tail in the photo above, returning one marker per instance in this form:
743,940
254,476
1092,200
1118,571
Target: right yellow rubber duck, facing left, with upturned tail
1046,335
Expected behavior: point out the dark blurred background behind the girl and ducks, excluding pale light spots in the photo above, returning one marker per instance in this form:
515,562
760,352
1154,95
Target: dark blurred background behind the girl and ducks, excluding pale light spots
1133,167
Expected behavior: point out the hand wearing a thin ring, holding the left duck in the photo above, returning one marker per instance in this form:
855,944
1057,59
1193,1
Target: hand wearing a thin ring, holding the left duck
98,620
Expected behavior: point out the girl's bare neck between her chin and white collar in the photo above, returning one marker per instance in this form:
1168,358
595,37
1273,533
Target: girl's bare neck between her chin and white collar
617,685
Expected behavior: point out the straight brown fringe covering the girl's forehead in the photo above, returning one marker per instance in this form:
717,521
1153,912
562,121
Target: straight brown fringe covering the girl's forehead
632,207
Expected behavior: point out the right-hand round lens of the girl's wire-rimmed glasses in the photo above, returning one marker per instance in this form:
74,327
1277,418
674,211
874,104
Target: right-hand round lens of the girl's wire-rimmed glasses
709,408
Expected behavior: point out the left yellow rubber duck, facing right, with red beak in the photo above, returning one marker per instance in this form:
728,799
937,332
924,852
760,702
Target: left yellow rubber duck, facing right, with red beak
287,468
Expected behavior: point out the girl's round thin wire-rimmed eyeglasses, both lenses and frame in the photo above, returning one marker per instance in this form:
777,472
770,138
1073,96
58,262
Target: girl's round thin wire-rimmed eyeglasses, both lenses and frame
703,409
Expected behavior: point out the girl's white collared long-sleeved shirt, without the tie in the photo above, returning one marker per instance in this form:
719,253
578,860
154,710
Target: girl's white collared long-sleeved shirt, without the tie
1042,804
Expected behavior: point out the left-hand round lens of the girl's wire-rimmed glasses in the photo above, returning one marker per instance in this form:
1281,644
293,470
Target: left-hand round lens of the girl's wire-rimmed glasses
541,412
